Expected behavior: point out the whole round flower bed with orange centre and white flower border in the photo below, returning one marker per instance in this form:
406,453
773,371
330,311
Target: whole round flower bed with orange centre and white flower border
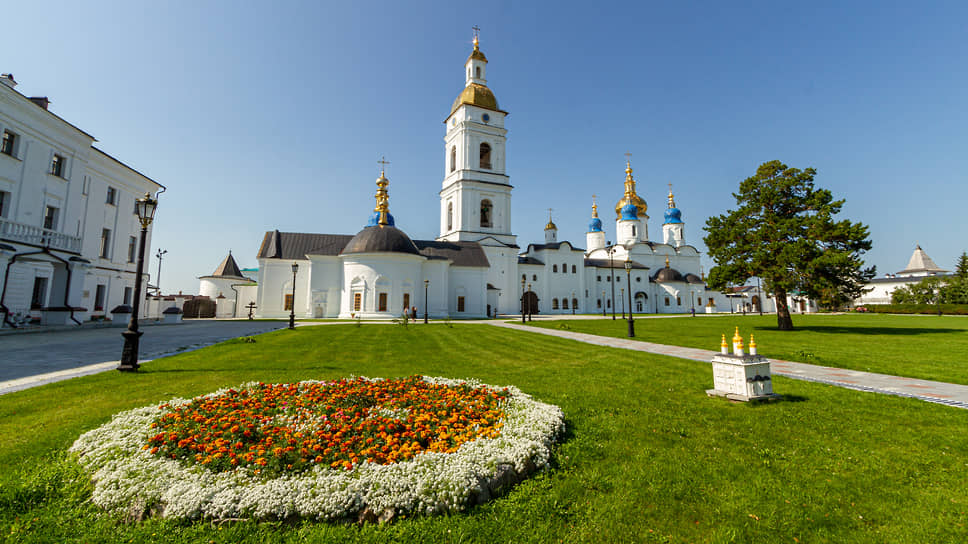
369,449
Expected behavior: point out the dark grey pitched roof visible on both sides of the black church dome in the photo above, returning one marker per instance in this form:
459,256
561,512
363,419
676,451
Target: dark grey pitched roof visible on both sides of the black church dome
296,245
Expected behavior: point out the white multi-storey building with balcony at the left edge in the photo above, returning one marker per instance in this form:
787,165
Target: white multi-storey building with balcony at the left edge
69,233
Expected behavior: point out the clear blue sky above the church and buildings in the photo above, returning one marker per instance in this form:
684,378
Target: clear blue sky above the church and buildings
272,115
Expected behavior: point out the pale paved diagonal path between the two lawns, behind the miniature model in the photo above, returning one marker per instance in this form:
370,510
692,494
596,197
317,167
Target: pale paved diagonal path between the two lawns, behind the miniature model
938,392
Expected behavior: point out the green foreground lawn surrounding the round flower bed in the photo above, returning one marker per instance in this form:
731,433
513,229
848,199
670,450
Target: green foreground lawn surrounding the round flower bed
648,456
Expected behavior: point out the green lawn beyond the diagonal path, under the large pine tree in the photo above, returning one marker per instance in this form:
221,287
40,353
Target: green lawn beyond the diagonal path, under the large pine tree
926,347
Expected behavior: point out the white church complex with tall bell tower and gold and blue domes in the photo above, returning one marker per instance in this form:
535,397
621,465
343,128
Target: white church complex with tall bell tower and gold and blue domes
475,267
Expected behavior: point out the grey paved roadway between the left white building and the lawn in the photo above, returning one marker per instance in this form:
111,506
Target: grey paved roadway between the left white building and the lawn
36,358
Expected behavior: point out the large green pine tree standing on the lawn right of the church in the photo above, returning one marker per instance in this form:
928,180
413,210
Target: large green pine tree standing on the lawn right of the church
785,233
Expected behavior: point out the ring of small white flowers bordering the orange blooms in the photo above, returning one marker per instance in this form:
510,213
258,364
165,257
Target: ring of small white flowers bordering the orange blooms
129,479
